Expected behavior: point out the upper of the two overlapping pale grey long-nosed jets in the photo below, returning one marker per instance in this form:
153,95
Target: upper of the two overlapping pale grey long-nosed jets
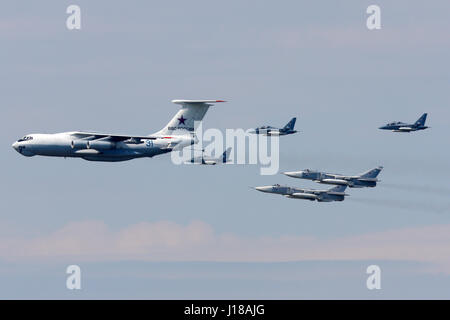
366,179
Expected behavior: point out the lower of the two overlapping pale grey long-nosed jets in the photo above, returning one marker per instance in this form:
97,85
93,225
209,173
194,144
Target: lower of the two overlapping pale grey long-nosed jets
334,194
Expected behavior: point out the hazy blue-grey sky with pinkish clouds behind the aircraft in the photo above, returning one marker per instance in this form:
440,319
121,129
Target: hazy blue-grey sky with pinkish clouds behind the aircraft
149,229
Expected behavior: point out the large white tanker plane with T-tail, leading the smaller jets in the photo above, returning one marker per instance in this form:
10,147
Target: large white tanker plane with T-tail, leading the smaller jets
94,146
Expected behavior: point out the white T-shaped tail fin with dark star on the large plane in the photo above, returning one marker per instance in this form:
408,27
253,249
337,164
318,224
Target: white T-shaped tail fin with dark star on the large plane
187,119
